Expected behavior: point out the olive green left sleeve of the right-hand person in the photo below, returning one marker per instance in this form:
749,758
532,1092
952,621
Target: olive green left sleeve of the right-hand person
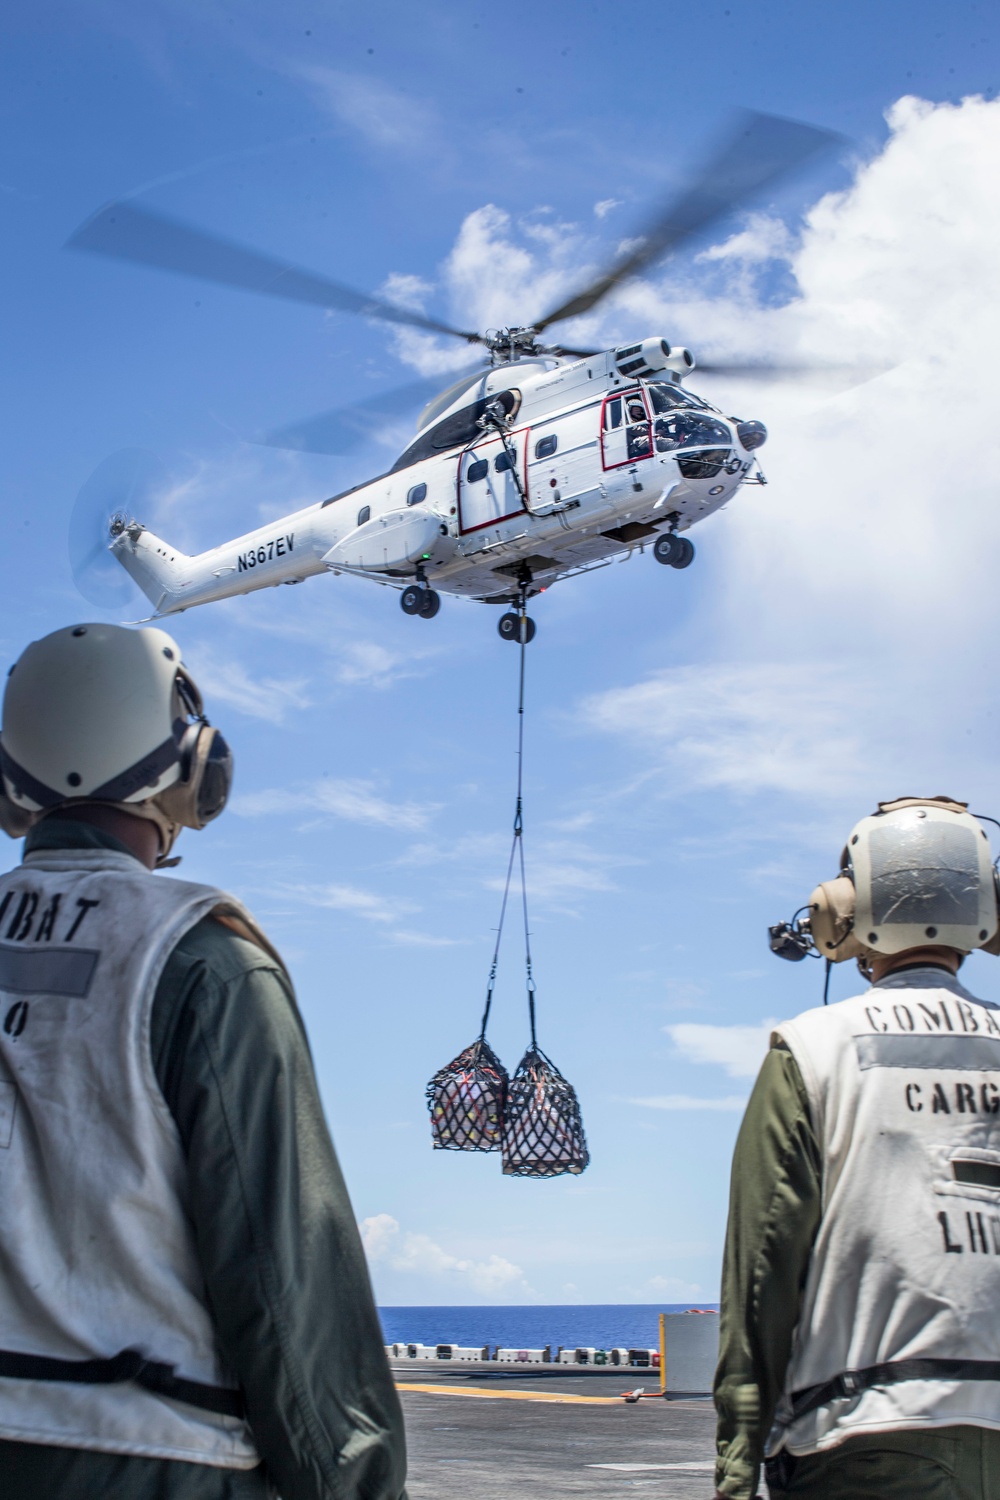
774,1213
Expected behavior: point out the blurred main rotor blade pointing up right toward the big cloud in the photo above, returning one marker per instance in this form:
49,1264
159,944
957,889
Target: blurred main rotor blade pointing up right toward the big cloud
761,151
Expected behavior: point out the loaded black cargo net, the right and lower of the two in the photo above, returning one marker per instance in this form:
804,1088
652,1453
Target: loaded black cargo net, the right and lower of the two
543,1130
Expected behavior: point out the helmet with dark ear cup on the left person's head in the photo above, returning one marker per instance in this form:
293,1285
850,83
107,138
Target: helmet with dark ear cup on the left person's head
106,715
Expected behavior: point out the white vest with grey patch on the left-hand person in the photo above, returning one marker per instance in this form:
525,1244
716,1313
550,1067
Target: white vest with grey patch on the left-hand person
97,1250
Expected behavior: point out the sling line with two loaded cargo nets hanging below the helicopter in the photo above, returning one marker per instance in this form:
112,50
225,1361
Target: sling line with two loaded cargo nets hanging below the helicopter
534,1118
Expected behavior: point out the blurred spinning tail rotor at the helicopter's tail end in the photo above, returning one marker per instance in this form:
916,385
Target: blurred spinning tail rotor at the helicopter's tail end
124,485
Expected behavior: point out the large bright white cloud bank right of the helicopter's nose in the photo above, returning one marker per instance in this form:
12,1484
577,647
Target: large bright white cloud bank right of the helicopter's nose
848,646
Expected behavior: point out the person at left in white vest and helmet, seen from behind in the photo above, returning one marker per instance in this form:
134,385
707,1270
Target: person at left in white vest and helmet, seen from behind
185,1310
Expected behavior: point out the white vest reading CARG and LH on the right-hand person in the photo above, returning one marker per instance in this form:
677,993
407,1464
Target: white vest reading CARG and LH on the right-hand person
905,1096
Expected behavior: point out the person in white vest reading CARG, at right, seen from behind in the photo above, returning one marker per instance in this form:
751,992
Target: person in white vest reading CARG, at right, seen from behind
861,1285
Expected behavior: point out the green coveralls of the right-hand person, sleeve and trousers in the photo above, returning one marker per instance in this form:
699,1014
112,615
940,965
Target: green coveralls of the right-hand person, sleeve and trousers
774,1213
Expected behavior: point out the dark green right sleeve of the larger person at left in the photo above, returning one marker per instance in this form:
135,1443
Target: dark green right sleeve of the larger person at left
277,1235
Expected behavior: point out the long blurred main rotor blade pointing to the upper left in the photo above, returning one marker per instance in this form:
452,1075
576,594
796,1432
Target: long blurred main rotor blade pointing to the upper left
130,233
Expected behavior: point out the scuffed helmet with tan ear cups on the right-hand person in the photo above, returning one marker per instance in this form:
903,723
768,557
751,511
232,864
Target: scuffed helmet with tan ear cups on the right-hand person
915,874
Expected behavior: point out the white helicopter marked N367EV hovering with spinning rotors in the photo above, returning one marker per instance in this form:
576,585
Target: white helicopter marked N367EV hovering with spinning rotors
545,464
